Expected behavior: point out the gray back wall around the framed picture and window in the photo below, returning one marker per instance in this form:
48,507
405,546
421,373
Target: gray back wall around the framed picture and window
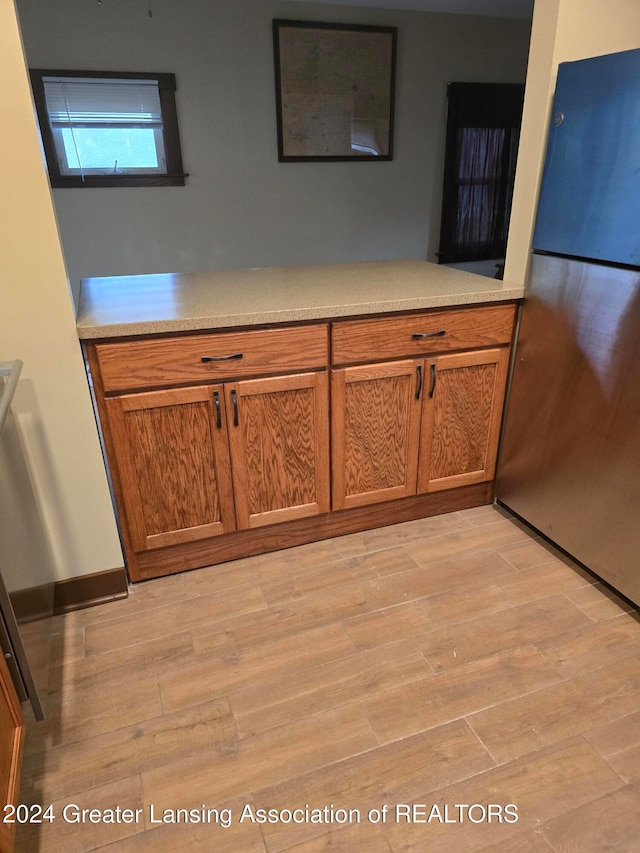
240,207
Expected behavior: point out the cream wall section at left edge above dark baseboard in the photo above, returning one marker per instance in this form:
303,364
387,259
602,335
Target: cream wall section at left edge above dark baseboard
37,324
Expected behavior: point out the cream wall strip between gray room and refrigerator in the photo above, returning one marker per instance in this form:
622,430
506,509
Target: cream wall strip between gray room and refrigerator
562,31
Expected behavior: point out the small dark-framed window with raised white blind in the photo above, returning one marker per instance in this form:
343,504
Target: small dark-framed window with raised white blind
107,129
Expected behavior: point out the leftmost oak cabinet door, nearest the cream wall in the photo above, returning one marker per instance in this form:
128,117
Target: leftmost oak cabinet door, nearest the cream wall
173,463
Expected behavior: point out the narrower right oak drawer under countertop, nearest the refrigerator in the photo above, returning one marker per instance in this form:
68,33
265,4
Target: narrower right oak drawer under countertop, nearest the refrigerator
416,334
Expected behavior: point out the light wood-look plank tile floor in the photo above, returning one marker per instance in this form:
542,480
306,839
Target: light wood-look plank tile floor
439,669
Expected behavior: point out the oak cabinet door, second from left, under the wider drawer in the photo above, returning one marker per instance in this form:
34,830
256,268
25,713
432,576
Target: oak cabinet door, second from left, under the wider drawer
279,439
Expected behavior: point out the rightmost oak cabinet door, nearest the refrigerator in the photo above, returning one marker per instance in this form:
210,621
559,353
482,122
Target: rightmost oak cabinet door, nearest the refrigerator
461,420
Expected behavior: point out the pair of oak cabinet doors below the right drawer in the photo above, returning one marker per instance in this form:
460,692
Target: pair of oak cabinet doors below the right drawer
414,427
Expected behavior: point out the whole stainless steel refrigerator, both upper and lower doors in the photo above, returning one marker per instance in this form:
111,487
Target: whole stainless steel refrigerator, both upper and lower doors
570,460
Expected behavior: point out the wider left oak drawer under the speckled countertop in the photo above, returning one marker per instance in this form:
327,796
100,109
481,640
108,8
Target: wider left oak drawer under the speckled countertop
211,356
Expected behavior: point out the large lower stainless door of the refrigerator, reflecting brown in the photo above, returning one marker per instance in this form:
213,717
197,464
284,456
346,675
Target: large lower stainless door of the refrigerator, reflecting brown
570,462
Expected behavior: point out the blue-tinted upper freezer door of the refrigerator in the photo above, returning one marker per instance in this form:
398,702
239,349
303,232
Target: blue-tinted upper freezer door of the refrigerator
589,204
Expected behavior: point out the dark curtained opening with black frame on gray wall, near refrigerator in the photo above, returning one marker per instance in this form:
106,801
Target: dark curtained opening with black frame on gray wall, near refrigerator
483,126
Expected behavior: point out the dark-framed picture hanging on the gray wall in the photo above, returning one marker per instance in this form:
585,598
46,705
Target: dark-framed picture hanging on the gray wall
335,90
